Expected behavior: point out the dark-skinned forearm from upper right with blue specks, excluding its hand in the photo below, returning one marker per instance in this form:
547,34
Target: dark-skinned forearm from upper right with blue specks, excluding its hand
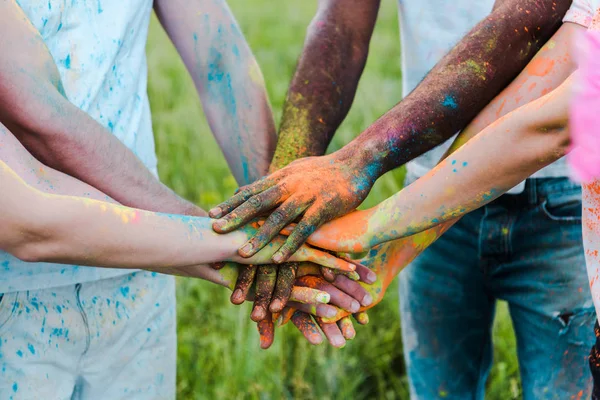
460,85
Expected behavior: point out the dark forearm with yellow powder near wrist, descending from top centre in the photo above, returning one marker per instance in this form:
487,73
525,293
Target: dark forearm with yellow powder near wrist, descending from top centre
326,78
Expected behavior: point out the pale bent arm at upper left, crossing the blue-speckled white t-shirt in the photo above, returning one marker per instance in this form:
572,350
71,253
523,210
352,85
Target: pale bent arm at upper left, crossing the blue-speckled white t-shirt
61,135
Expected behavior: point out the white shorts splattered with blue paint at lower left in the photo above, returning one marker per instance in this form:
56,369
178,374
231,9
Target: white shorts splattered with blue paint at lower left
109,339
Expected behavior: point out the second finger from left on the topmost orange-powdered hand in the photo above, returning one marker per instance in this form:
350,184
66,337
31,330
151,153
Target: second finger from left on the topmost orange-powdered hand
249,210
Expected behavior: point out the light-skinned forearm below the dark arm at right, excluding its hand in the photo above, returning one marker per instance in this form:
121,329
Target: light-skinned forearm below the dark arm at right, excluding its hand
504,154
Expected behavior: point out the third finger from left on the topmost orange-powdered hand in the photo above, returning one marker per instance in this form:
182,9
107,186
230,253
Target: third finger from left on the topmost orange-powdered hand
268,230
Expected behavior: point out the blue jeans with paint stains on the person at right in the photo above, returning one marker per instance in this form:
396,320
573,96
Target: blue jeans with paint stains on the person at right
525,249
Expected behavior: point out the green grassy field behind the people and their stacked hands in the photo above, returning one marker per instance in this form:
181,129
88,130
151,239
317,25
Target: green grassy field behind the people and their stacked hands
219,356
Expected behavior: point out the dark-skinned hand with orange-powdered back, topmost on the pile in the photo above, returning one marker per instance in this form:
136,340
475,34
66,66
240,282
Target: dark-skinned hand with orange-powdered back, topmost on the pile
316,189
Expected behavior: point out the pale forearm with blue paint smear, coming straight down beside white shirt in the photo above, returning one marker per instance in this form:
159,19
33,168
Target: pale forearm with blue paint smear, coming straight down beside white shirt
228,79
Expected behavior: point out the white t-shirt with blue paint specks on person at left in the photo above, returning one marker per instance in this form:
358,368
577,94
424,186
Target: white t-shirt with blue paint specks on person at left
100,50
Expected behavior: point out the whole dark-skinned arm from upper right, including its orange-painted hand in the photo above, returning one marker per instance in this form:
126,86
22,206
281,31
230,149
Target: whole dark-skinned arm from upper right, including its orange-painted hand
456,89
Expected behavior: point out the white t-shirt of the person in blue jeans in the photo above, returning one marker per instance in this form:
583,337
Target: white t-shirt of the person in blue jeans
428,31
